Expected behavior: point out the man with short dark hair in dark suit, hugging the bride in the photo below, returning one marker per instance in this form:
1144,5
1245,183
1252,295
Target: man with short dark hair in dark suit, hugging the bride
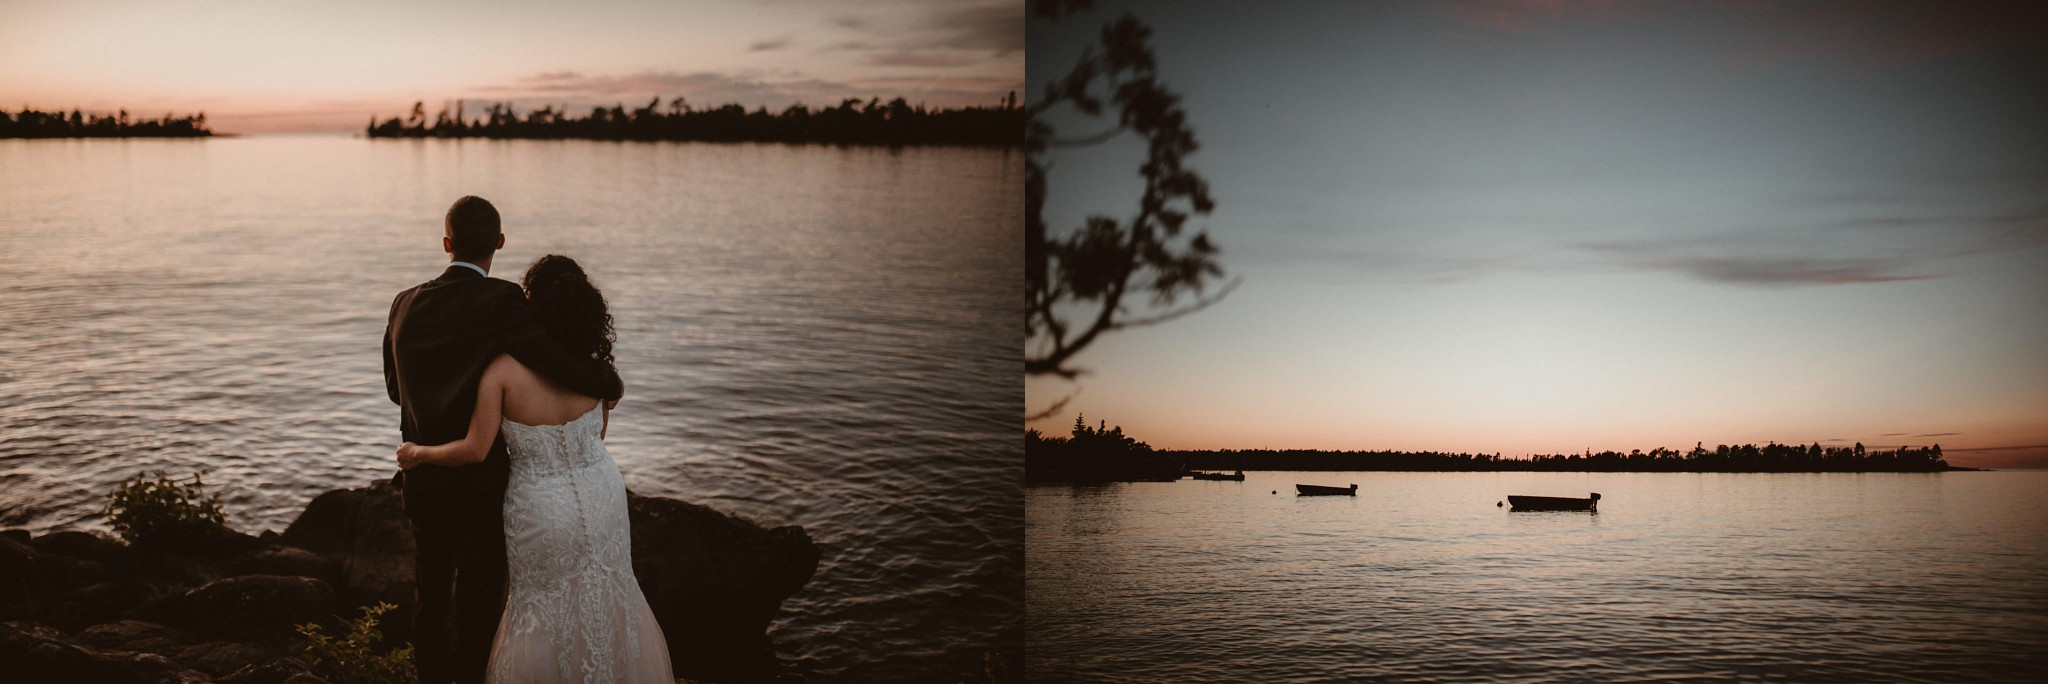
437,343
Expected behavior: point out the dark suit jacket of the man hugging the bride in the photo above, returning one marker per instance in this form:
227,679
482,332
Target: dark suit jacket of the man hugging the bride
437,345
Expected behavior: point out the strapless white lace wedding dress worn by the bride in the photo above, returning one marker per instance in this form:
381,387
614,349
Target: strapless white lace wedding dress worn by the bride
574,611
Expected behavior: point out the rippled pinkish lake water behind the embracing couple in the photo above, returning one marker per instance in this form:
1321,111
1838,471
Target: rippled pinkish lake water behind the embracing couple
810,337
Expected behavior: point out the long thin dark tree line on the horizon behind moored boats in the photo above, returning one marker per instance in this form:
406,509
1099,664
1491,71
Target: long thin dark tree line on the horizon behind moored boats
1723,460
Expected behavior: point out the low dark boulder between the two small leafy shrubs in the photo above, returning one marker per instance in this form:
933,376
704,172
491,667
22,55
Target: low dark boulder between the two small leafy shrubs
259,607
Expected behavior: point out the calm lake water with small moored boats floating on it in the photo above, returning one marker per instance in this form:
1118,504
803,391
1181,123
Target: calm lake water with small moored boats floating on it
1420,579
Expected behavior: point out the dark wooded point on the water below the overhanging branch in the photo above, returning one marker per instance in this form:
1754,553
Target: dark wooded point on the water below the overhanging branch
1099,454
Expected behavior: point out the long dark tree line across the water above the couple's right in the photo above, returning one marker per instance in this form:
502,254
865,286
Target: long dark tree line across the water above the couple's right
853,124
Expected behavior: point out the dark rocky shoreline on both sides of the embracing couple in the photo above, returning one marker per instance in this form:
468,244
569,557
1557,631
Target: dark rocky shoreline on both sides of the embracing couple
79,607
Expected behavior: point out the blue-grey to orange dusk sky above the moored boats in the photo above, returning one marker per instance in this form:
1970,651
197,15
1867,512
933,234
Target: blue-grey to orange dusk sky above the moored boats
1560,226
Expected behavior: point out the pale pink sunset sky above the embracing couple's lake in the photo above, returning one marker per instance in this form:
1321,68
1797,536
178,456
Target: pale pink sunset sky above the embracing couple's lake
329,67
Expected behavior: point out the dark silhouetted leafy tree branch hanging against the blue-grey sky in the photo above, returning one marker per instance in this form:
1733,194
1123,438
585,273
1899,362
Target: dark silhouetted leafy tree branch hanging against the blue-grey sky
1082,284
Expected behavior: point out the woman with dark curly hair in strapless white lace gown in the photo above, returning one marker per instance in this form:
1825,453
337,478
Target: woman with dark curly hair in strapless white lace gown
574,609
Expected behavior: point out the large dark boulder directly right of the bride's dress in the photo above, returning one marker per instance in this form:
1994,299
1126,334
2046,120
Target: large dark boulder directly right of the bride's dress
716,583
